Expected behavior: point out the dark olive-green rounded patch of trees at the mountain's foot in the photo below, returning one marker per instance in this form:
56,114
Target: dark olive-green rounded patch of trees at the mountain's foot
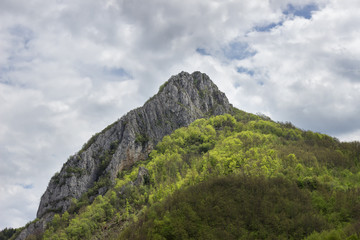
232,208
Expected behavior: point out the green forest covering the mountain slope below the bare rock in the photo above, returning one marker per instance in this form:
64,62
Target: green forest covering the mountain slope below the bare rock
239,176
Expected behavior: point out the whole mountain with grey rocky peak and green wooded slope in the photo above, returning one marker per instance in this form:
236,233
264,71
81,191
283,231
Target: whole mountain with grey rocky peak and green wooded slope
188,165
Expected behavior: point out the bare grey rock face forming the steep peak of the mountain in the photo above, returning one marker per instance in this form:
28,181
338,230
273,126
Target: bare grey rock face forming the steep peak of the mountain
181,100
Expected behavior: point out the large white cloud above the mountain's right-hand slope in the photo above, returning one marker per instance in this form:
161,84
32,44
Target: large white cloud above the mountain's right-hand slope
309,70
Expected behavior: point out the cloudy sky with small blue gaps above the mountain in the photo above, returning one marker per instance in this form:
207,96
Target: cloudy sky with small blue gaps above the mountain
69,68
